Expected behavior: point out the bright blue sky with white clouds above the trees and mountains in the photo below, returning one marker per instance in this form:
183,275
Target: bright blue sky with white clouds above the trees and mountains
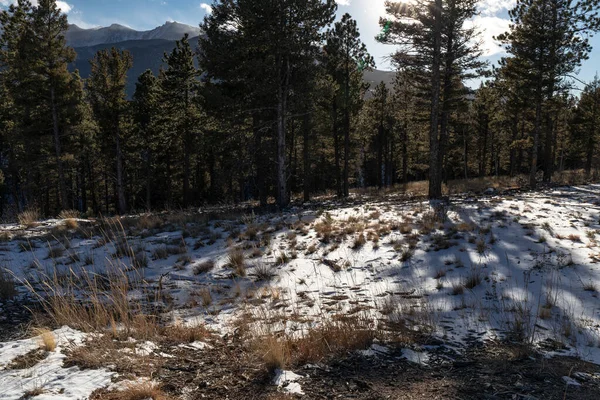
148,14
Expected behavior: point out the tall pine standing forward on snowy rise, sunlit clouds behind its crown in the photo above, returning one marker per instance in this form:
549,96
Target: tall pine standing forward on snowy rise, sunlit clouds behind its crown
436,48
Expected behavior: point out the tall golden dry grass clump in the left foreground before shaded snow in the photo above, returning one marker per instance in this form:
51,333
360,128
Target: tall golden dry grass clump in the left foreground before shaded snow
98,298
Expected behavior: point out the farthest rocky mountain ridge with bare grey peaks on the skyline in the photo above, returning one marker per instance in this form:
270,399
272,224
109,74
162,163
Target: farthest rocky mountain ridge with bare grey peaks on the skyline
78,37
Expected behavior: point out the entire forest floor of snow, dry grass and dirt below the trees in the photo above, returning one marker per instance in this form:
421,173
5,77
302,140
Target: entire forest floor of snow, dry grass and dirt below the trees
380,297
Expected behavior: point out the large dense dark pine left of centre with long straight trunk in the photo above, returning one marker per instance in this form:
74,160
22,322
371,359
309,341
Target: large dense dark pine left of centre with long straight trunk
254,47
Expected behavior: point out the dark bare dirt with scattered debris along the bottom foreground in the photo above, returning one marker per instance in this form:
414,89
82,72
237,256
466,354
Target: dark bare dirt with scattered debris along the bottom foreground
492,371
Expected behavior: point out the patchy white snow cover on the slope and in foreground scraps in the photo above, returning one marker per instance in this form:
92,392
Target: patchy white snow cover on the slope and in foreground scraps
520,266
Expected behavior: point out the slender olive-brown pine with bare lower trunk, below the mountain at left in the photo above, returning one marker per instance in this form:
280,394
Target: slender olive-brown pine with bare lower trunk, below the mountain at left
106,90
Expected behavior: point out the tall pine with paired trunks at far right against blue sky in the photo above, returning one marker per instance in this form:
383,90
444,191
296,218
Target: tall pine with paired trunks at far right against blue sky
547,42
